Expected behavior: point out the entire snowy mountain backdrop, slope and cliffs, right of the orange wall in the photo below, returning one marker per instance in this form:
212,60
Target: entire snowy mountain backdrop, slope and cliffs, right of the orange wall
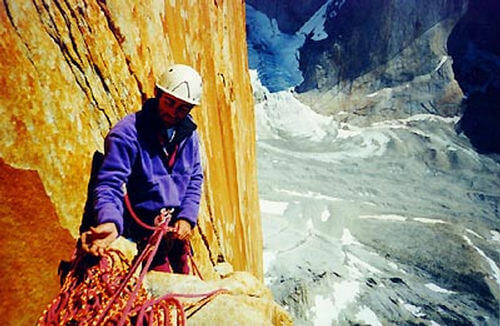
376,208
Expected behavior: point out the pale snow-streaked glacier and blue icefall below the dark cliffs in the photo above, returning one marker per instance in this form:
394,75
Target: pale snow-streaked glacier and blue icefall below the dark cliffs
381,218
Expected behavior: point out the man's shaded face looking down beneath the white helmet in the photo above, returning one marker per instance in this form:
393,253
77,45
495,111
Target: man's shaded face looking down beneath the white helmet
171,110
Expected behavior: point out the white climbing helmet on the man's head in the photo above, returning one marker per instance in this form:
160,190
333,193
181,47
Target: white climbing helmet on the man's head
182,82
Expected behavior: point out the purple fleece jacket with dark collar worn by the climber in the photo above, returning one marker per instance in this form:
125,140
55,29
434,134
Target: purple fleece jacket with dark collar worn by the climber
134,156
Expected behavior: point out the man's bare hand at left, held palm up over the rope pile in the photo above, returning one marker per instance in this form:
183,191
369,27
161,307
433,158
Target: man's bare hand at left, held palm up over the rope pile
98,238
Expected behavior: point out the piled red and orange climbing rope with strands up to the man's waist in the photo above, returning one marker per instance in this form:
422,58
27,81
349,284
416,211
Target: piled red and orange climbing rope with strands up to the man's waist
107,290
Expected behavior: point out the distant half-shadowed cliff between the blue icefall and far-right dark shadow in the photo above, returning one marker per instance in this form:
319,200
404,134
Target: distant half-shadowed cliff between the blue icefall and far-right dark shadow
381,55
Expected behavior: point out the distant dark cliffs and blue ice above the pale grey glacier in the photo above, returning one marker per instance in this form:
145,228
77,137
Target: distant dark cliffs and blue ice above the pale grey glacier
386,58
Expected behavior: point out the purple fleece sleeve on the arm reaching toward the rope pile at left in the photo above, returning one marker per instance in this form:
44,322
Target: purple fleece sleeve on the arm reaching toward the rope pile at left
120,153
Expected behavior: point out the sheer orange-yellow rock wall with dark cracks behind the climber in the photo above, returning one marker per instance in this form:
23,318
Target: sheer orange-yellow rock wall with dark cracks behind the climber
72,69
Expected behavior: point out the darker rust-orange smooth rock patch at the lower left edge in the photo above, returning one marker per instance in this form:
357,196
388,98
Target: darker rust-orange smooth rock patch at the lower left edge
29,261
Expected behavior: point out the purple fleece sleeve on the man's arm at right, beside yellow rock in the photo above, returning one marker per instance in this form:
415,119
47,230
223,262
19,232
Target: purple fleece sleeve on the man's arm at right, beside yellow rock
190,204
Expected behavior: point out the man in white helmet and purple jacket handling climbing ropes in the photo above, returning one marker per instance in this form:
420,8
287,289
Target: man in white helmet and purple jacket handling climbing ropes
155,153
